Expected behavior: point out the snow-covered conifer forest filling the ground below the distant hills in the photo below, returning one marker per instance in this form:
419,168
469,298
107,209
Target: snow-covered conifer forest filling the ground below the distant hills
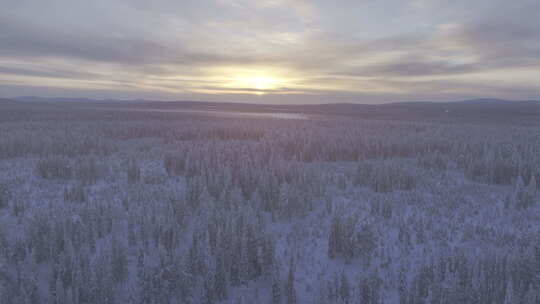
128,207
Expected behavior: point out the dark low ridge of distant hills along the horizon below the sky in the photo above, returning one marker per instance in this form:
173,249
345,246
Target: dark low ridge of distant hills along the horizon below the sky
494,111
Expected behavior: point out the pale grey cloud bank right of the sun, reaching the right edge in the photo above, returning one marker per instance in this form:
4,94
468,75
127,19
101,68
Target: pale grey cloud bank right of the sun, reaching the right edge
493,46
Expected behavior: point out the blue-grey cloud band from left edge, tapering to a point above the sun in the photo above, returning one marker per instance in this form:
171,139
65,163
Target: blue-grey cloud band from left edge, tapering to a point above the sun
24,40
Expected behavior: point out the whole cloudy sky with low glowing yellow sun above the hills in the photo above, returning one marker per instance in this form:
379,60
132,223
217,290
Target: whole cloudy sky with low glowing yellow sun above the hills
271,51
